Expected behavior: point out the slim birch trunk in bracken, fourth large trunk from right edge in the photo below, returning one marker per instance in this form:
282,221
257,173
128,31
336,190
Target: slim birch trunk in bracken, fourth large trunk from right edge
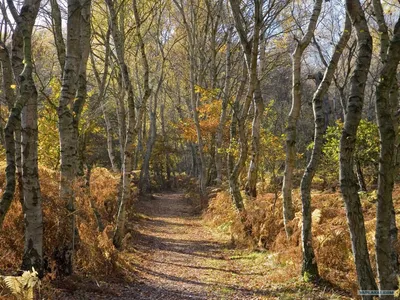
291,129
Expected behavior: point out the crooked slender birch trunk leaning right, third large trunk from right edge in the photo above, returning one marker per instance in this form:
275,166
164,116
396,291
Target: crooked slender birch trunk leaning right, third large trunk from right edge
309,265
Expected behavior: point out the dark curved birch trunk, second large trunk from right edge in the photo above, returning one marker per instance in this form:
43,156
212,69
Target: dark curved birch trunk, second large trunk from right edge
348,180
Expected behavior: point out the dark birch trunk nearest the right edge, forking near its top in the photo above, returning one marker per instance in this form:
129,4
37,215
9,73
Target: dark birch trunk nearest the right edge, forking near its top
386,255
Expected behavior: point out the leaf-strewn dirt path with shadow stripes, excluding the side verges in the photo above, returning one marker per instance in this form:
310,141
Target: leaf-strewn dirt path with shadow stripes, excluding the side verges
181,259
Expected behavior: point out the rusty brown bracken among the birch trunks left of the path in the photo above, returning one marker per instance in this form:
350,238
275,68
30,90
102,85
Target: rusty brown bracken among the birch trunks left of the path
95,257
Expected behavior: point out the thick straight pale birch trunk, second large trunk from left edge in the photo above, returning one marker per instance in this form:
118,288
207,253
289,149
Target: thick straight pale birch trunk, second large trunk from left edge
72,98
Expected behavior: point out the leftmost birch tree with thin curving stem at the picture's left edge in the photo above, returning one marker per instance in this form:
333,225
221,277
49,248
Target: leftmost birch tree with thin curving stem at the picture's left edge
25,110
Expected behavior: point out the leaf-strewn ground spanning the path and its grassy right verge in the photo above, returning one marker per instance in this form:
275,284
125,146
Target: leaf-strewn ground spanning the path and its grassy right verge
174,255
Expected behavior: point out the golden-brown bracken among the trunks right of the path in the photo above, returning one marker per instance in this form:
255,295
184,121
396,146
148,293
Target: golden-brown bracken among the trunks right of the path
331,239
